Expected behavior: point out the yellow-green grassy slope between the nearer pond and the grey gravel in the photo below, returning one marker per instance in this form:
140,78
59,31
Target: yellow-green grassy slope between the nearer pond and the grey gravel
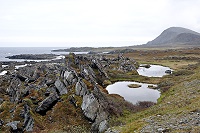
183,97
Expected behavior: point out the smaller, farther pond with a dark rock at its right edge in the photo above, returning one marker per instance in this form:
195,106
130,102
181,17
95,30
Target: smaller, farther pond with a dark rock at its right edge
153,71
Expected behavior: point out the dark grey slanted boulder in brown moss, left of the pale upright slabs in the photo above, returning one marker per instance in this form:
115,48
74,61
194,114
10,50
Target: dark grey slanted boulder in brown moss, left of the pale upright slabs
47,104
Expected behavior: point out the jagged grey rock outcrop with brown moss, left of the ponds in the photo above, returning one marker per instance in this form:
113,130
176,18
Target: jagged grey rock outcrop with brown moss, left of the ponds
48,87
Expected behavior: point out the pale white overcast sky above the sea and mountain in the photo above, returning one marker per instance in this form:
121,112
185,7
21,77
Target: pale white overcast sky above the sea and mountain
100,22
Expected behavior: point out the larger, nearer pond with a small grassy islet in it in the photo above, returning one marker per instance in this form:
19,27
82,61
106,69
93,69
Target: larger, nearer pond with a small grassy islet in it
134,95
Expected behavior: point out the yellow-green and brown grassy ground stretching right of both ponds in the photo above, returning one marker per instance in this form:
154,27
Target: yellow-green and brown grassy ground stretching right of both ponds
179,95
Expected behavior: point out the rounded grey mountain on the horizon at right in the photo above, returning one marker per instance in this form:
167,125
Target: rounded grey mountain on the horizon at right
176,35
